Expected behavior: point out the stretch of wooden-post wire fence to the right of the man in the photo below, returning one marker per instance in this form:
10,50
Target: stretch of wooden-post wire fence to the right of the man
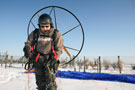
104,64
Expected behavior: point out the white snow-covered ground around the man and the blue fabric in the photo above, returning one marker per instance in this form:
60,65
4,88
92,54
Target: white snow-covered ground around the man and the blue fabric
13,78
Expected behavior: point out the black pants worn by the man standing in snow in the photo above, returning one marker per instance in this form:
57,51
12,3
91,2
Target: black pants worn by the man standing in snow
45,79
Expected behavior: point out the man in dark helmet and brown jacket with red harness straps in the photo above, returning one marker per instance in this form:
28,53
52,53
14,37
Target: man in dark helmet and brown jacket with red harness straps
47,50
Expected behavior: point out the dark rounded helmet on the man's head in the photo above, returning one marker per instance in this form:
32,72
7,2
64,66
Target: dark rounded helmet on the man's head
45,19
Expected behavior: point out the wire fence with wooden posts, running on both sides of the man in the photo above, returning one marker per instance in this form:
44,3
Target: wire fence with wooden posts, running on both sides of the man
98,64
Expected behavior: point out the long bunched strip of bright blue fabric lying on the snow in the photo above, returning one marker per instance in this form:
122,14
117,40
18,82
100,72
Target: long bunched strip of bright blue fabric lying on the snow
96,76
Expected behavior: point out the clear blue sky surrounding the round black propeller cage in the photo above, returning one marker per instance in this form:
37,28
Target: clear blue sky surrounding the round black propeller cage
109,25
